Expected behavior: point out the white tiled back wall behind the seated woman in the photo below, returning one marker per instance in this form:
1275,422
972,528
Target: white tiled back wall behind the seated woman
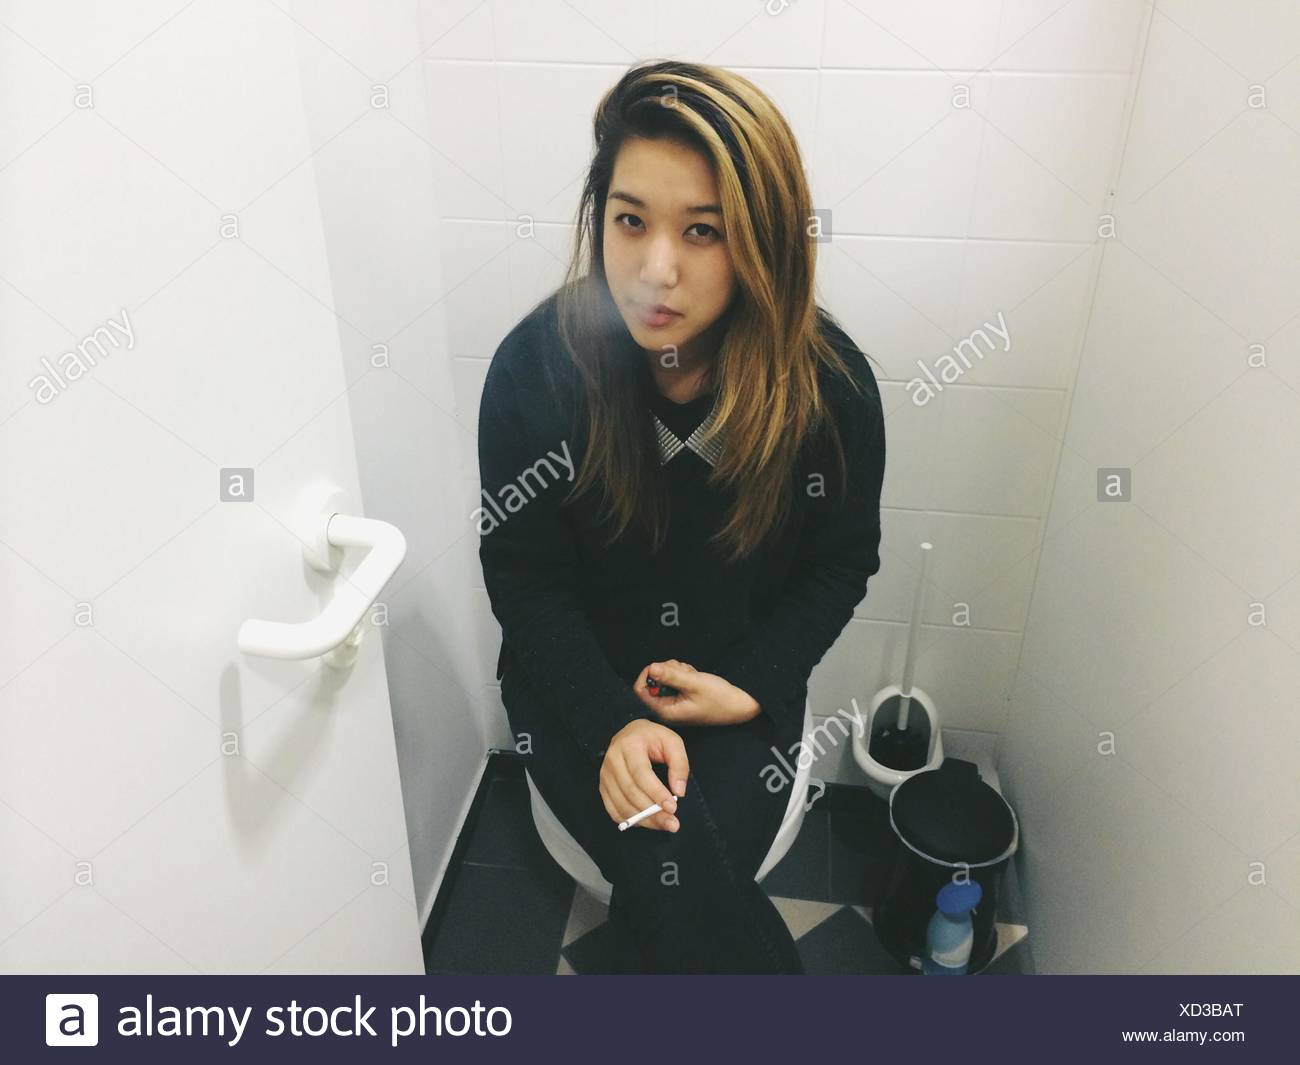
943,218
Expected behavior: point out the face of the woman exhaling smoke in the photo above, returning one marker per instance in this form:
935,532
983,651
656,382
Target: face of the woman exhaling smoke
665,244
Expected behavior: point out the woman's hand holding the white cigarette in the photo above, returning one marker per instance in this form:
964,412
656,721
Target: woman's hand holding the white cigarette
629,783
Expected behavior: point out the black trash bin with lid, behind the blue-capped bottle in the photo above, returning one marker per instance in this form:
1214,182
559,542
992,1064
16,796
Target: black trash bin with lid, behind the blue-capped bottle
951,825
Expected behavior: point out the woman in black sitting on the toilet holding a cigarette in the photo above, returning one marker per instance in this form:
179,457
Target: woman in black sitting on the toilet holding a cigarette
681,457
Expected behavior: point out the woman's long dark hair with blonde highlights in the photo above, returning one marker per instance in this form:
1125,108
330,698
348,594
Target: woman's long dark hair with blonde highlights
766,371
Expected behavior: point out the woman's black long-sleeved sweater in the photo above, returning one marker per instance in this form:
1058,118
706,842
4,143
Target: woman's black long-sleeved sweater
580,621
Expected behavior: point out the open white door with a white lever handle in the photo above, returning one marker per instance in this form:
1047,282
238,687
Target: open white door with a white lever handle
170,804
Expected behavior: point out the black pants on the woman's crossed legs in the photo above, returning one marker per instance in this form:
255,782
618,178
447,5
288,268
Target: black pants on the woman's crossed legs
683,902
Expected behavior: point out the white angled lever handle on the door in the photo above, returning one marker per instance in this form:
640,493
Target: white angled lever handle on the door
339,630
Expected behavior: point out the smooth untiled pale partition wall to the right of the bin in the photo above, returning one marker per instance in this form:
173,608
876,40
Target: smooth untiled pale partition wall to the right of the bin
1152,741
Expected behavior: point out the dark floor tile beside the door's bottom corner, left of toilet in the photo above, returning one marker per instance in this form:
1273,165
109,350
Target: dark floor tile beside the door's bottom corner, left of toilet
502,921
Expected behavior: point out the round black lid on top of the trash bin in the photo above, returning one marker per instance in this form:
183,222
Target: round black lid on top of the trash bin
951,816
